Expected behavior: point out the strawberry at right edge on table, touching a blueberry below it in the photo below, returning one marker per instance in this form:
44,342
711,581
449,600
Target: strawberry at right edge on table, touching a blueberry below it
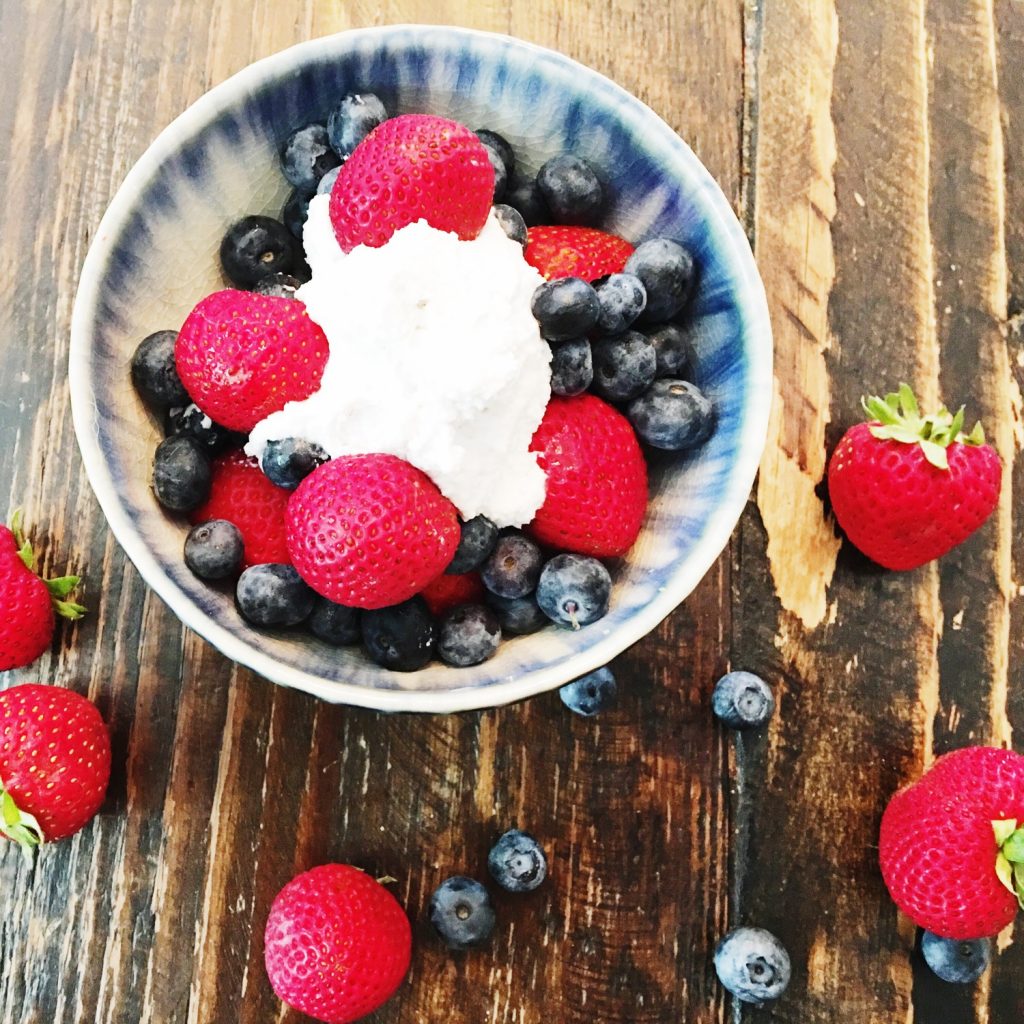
952,847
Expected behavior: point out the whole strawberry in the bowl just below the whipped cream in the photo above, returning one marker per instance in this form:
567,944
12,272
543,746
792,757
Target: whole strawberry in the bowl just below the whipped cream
370,531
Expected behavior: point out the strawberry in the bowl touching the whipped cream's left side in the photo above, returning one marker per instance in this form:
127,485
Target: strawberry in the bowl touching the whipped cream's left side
242,356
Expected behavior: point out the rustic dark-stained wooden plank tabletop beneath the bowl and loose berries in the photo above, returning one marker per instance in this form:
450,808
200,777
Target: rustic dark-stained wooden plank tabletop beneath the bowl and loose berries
875,153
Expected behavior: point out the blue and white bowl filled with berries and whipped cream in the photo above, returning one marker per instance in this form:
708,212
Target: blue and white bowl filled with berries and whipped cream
420,369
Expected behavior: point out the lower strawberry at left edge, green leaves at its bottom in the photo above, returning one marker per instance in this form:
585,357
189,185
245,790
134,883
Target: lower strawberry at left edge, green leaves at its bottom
55,763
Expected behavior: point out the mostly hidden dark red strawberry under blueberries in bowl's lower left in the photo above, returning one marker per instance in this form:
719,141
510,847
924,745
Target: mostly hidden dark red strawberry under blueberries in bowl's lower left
241,494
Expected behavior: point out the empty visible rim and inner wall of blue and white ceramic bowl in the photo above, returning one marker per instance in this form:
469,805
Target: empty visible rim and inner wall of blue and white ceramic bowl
155,257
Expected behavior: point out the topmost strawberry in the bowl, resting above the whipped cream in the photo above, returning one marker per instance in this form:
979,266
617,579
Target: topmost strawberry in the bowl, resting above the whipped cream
411,168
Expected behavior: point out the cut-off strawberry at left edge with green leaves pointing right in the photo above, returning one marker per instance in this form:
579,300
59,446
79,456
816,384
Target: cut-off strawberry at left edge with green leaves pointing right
29,606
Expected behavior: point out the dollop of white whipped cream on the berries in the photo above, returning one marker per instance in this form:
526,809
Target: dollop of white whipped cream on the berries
436,358
